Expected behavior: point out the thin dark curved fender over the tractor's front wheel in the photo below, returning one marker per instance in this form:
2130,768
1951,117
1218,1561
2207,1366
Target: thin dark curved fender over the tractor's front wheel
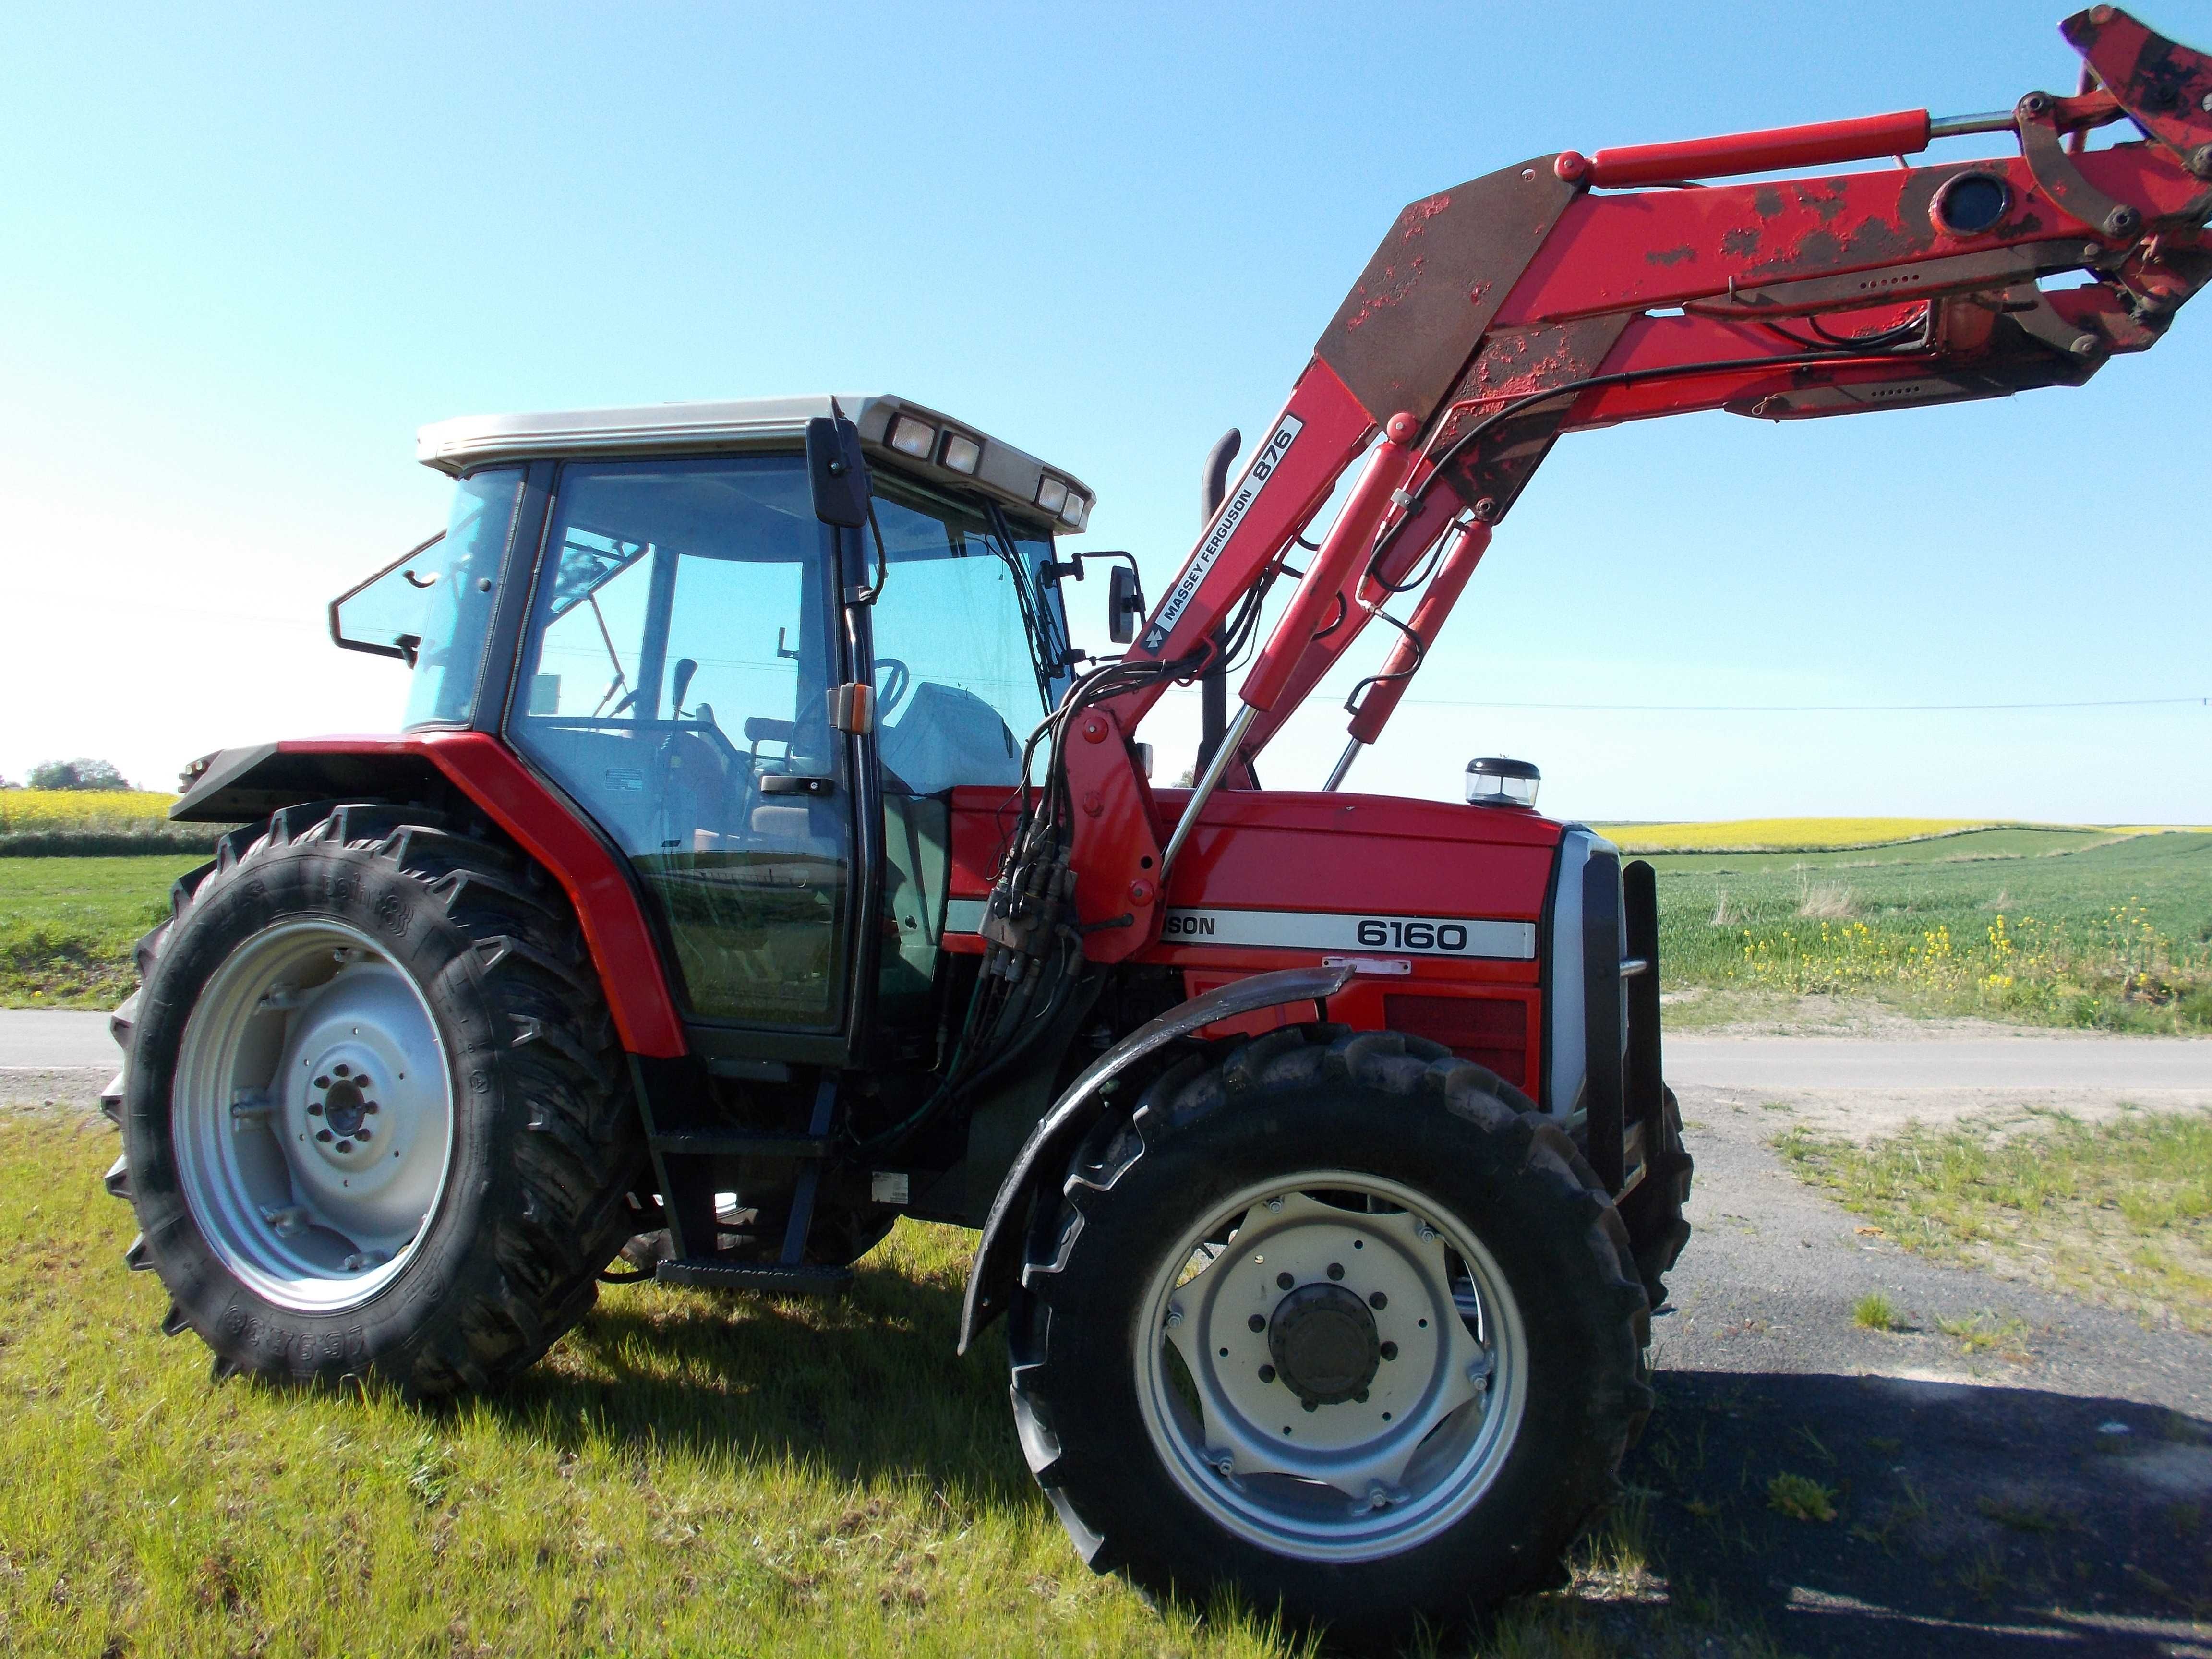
1056,1136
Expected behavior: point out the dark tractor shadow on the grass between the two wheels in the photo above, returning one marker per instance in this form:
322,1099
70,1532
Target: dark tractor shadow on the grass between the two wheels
864,1386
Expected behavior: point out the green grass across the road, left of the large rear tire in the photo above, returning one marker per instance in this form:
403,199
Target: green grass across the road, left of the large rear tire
67,926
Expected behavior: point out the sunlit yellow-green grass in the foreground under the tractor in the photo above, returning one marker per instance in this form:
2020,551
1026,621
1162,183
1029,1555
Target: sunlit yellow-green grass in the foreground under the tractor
682,1477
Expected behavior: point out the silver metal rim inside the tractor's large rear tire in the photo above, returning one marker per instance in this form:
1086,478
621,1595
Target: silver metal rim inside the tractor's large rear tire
313,1116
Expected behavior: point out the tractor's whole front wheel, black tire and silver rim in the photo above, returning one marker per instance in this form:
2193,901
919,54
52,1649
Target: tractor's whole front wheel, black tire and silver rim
1335,1326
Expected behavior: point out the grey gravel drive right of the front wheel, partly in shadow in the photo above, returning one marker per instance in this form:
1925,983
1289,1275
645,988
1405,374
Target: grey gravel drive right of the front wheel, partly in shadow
2047,1492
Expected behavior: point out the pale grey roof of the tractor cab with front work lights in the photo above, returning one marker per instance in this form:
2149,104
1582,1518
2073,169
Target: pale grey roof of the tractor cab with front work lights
921,446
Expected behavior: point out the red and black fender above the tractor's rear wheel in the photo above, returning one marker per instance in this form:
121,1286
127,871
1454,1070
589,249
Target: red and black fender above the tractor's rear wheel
255,782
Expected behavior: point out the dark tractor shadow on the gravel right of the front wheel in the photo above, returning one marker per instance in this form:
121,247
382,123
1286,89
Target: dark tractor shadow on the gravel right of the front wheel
1861,1514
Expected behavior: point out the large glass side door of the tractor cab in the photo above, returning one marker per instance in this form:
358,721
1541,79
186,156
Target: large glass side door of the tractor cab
676,682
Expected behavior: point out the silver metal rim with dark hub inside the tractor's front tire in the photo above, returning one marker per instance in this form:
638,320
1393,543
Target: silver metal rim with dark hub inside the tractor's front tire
1395,1324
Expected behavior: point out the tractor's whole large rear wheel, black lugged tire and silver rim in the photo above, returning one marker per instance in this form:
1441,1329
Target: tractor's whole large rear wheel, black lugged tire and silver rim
375,1118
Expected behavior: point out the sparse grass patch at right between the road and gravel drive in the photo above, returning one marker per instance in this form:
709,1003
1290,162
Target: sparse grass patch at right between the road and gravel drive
2116,1211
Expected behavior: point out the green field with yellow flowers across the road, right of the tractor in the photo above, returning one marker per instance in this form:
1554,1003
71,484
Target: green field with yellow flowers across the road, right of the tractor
2107,935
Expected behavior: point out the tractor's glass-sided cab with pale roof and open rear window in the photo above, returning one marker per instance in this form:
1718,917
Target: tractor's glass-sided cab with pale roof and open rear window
762,711
